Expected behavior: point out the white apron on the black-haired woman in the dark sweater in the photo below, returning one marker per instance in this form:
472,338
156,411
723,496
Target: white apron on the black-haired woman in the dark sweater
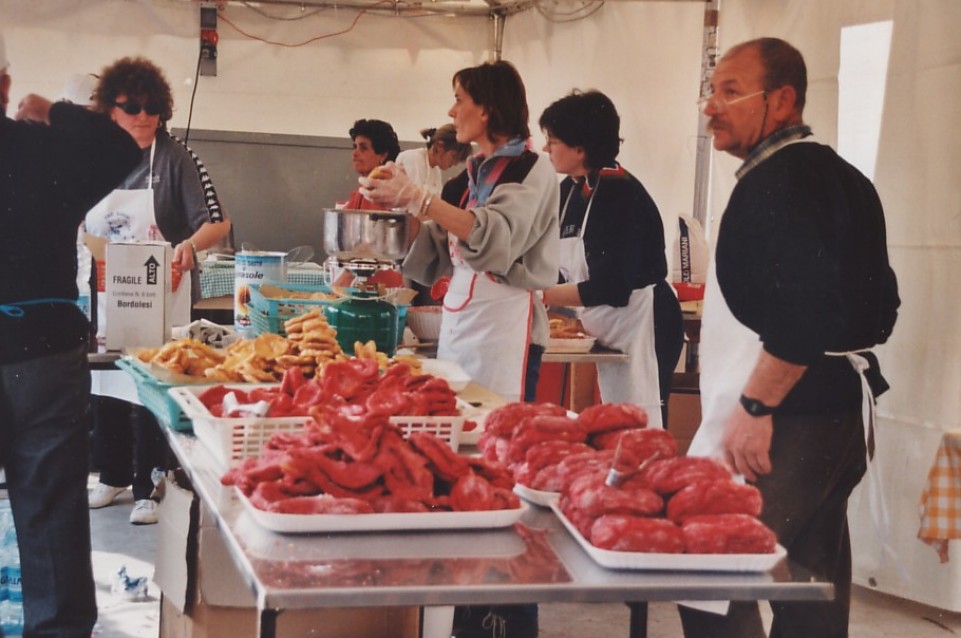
629,329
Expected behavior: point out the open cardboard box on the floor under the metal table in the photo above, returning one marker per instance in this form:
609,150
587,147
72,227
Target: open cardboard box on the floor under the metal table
204,595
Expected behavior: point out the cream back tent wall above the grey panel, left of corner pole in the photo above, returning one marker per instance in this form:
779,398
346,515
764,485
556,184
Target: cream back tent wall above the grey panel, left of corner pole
388,67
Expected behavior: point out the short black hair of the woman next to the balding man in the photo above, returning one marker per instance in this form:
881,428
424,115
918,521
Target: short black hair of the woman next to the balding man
588,120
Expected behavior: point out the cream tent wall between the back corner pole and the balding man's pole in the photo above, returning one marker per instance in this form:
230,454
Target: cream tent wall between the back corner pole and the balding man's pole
645,56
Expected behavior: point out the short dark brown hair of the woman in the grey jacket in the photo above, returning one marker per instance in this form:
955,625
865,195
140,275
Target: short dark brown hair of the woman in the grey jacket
497,88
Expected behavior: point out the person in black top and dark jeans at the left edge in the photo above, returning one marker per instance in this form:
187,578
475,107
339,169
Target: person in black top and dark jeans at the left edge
56,161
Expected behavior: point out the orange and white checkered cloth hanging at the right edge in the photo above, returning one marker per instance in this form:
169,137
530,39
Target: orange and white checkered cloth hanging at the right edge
941,499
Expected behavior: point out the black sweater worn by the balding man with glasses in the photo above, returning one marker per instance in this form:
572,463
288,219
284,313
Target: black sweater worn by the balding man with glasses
802,260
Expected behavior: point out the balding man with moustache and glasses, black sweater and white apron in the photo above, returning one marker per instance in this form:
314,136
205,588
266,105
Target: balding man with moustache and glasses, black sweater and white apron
801,288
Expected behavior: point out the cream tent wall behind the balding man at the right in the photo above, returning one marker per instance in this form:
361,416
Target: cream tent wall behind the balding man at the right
918,176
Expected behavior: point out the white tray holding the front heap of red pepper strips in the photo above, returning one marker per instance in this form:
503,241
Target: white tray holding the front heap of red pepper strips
307,523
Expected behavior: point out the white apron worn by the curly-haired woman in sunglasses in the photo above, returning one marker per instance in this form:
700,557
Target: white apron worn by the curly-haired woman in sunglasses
123,215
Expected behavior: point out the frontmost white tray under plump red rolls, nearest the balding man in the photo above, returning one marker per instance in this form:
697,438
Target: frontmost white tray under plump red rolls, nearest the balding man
673,562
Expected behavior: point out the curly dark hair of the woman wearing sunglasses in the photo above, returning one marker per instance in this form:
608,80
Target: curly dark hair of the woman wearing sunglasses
136,78
